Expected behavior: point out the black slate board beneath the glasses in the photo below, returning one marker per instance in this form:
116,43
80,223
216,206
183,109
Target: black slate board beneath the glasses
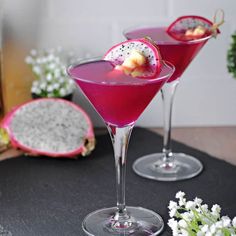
41,196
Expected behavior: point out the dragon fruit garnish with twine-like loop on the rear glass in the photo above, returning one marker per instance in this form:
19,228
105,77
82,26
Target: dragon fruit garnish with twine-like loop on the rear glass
187,28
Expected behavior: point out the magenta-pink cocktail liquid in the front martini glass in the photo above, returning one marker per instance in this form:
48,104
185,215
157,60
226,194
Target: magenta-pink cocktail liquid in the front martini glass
118,98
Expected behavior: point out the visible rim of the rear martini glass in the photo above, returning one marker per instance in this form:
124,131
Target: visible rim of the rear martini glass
154,25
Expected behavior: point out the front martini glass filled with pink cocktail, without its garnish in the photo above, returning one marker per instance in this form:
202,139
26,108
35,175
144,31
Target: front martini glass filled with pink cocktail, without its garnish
119,99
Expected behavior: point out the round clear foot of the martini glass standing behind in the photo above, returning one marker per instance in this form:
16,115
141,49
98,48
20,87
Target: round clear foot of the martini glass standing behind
152,167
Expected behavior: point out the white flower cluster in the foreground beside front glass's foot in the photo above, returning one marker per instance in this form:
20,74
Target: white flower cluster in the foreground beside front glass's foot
193,218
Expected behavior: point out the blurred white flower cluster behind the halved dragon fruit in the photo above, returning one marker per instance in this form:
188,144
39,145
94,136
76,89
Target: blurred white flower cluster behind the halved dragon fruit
50,71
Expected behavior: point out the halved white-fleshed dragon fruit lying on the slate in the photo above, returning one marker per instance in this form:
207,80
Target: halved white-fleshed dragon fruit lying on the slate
50,126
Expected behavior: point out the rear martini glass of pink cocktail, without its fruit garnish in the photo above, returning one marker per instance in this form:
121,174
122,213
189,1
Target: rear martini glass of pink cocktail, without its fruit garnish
169,166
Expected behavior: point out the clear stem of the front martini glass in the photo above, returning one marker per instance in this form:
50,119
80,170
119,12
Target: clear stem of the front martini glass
120,140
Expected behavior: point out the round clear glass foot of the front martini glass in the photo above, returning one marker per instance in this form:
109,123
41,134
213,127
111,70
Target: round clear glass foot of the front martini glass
137,221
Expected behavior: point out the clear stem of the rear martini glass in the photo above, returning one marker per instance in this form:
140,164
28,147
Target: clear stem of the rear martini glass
168,92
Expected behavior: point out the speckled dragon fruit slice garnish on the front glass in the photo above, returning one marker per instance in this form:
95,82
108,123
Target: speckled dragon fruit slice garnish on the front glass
138,58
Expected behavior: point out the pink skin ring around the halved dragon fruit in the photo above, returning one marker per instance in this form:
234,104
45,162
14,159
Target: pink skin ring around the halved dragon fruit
88,139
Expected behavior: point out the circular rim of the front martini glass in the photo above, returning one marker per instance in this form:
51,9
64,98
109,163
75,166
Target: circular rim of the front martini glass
140,81
